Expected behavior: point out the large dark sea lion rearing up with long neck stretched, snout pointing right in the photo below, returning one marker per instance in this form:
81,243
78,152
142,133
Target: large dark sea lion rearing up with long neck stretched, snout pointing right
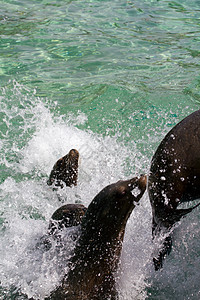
97,251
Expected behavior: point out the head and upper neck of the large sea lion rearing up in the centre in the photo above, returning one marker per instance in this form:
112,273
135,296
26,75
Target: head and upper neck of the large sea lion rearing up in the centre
111,208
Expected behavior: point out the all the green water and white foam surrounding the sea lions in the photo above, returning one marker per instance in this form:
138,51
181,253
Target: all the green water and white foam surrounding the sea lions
109,78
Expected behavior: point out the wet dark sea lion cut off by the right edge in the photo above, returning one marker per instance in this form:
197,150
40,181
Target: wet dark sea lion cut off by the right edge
174,178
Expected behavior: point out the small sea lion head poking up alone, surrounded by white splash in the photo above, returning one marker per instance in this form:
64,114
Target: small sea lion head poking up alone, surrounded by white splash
65,170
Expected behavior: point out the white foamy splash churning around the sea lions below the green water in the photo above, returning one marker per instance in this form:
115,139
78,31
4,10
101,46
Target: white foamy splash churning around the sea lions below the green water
33,136
